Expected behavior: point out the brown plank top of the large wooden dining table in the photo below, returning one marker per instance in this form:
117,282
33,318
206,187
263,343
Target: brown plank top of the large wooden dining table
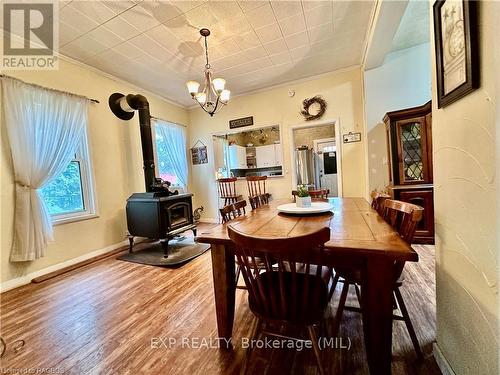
354,227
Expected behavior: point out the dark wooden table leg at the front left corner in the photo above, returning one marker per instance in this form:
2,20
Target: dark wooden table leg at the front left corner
224,288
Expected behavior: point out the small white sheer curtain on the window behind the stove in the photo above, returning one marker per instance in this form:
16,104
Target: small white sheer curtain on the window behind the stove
174,137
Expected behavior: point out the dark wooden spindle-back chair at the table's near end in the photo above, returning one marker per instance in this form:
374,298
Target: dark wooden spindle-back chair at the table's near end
282,295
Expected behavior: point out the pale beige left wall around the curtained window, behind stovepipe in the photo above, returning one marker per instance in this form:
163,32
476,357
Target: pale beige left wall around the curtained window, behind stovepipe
117,161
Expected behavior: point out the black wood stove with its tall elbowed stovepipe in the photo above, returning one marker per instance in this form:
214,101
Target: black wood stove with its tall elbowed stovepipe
159,213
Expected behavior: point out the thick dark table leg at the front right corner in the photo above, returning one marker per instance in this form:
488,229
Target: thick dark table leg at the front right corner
377,314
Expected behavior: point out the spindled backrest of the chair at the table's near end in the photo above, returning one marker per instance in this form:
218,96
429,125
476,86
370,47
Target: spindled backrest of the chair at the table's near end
281,292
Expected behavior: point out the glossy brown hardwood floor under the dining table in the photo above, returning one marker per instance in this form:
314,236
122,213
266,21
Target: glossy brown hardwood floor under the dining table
110,317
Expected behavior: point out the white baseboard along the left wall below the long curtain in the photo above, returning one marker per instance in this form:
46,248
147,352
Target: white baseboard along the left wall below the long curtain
26,279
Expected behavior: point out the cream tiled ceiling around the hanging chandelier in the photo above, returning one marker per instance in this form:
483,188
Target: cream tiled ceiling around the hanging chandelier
254,44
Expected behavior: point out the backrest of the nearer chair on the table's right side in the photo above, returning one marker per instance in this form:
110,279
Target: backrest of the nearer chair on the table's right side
403,217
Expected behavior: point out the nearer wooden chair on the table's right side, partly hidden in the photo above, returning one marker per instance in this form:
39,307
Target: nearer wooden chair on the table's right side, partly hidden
403,217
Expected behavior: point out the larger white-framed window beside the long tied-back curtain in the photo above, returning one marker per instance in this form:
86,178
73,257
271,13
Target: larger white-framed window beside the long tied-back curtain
70,196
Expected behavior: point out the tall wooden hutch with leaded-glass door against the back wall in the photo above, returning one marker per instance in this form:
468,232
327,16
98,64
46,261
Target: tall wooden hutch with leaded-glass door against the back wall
409,138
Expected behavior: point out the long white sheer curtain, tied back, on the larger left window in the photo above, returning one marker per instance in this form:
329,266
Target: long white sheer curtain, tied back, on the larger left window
44,128
